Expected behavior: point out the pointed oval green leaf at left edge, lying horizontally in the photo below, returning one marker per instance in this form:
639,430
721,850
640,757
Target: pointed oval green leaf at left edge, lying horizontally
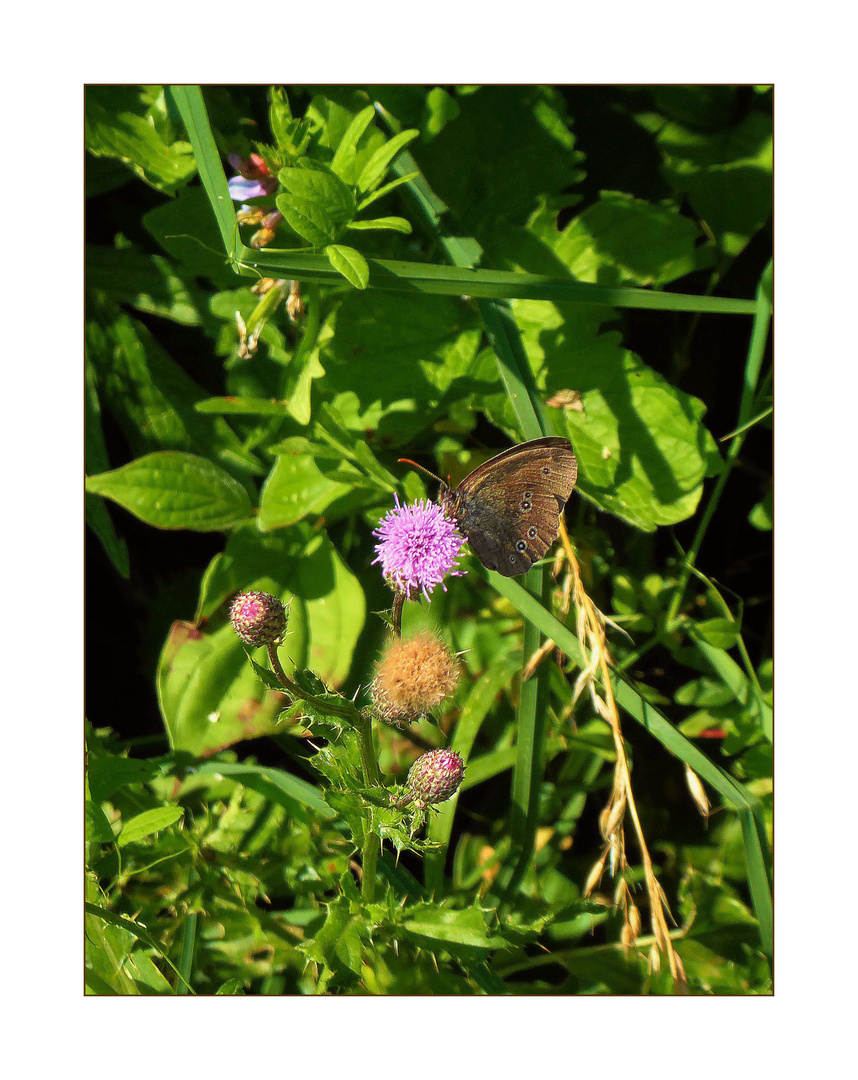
177,492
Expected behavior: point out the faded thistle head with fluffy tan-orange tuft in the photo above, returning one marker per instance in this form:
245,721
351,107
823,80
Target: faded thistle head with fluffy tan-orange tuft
413,678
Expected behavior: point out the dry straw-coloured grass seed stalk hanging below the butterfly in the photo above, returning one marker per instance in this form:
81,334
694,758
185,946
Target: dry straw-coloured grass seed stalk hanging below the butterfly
596,679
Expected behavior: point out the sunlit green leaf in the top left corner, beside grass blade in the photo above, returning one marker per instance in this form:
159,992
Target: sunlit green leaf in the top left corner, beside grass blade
122,123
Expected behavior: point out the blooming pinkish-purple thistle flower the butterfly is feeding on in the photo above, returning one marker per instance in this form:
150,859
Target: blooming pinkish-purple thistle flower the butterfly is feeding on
419,548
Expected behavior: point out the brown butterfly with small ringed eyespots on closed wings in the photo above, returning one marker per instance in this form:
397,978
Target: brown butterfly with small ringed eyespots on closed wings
510,508
